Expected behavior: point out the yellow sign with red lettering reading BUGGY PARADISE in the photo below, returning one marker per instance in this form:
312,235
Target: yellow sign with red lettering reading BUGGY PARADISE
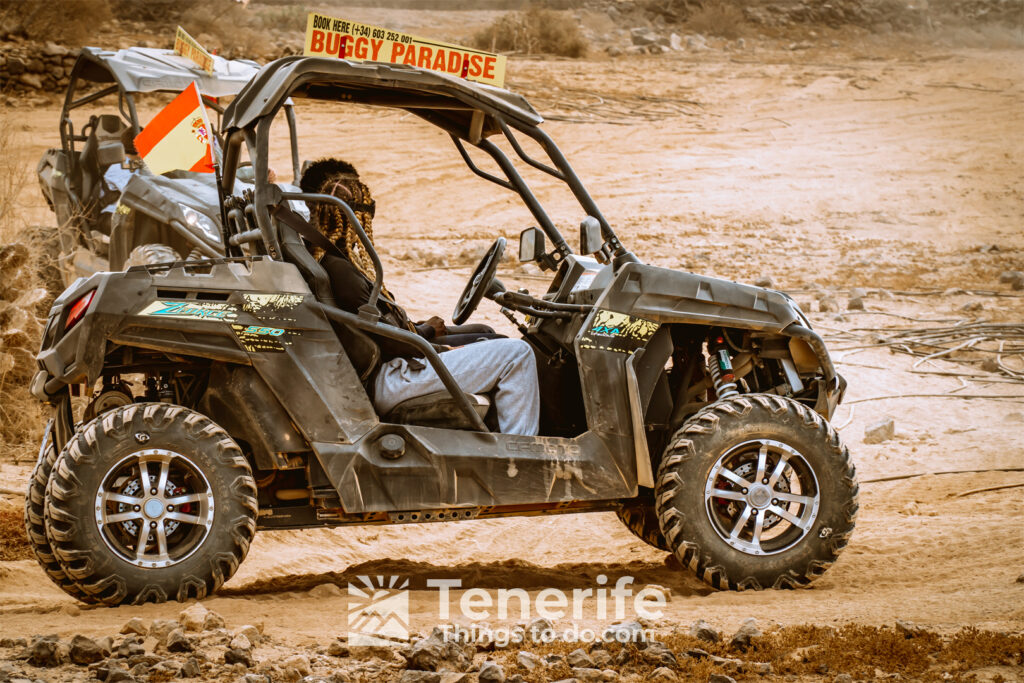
331,37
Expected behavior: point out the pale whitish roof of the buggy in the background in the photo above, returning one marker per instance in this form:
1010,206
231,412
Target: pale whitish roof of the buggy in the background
153,70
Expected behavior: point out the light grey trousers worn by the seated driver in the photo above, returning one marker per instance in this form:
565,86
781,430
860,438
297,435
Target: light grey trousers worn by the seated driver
508,365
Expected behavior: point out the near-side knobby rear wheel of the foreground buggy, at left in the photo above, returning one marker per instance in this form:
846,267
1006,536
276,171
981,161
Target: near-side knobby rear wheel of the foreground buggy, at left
178,532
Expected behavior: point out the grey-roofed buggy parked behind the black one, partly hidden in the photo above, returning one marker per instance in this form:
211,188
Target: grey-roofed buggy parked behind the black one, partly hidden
155,219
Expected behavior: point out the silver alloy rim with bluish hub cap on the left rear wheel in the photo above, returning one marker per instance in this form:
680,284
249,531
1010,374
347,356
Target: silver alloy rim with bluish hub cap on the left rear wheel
154,508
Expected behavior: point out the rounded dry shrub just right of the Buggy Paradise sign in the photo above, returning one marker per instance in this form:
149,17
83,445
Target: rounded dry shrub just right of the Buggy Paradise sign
536,30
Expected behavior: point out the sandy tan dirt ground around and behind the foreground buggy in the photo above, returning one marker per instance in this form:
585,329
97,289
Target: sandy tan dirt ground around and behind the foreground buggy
886,165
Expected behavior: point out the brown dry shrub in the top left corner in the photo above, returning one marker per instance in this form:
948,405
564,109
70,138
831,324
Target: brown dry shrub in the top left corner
72,22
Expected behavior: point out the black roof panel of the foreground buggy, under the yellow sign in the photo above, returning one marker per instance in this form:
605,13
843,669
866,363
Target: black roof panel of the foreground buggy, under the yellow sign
370,83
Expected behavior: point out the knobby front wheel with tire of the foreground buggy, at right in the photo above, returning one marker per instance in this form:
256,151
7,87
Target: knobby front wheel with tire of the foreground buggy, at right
709,478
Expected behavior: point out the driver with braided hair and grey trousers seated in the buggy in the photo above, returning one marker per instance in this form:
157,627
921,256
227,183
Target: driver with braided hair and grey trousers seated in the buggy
506,365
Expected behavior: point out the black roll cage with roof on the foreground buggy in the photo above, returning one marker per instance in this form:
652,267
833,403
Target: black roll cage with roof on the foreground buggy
467,112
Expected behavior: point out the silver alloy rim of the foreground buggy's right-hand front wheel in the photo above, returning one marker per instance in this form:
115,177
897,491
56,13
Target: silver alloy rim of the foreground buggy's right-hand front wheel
762,497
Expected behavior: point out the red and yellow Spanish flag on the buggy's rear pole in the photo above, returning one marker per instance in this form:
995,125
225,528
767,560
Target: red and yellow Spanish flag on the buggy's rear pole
179,138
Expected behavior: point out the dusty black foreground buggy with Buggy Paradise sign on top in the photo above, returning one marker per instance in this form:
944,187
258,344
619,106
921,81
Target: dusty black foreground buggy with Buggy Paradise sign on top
229,395
